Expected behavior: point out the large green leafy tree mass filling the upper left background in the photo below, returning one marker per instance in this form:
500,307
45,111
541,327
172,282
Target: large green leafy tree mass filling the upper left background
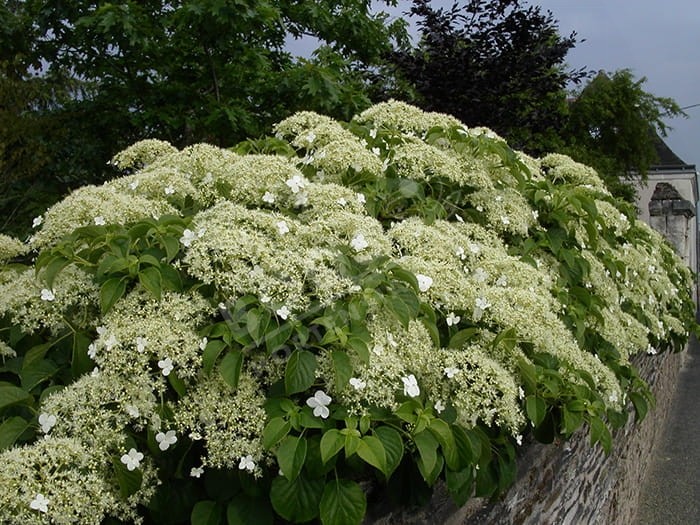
108,74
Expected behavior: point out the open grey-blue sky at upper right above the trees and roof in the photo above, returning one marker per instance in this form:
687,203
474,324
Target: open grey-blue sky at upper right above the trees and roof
656,39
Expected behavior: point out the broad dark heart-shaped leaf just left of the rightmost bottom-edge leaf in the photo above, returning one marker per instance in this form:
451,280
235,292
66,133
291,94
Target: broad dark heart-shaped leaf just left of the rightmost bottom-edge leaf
296,501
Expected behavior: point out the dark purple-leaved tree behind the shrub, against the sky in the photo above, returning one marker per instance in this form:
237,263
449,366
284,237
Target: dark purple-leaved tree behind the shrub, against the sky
491,63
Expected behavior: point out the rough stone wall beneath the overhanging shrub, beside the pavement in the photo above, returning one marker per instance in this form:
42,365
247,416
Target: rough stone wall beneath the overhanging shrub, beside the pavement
567,483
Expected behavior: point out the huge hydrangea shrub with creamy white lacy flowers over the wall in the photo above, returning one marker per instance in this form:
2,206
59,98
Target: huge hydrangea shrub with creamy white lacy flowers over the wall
342,312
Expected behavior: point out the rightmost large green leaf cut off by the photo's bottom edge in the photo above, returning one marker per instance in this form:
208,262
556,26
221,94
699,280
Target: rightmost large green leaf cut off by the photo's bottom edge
343,503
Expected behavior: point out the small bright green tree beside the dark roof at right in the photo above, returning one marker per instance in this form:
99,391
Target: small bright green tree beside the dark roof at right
614,125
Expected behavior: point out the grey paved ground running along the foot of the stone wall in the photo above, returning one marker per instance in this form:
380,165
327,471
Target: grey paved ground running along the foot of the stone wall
671,492
